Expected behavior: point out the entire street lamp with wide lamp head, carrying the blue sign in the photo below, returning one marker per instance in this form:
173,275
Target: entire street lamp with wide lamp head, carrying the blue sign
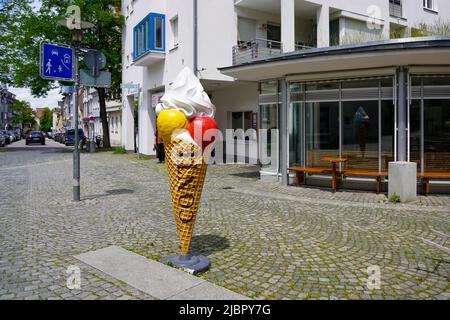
77,28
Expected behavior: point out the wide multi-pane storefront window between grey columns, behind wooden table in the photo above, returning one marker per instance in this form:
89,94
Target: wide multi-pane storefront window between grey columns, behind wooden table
333,119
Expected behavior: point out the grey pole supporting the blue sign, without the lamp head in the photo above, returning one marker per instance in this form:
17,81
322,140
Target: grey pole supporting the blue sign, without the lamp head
76,152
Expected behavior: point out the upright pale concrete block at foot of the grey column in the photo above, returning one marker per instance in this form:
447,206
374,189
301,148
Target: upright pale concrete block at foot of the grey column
403,180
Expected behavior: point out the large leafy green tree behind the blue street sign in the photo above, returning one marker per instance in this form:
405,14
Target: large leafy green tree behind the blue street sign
23,27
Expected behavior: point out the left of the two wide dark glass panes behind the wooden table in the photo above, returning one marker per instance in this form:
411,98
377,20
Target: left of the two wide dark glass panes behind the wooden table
322,131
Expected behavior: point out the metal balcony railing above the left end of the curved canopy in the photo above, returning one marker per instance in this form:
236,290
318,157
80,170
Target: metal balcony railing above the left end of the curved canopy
248,51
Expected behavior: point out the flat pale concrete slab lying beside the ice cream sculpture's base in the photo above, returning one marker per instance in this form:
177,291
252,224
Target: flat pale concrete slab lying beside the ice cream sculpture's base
154,278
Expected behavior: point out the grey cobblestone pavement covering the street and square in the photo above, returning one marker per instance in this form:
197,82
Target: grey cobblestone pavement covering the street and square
265,241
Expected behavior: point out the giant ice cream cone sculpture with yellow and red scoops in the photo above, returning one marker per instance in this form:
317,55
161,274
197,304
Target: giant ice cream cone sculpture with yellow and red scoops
183,117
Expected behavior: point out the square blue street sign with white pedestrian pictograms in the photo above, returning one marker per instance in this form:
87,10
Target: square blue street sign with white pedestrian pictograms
57,62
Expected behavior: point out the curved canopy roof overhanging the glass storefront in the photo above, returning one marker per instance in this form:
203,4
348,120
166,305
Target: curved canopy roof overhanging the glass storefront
354,59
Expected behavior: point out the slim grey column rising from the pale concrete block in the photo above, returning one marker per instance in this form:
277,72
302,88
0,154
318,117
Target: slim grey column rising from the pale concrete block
402,137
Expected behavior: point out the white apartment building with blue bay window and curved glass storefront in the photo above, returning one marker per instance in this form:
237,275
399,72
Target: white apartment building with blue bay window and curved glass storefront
312,69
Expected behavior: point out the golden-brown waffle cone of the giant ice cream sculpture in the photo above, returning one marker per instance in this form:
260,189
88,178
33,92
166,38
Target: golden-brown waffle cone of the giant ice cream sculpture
186,171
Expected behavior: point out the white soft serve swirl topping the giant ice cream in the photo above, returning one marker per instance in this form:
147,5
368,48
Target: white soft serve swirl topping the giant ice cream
187,95
